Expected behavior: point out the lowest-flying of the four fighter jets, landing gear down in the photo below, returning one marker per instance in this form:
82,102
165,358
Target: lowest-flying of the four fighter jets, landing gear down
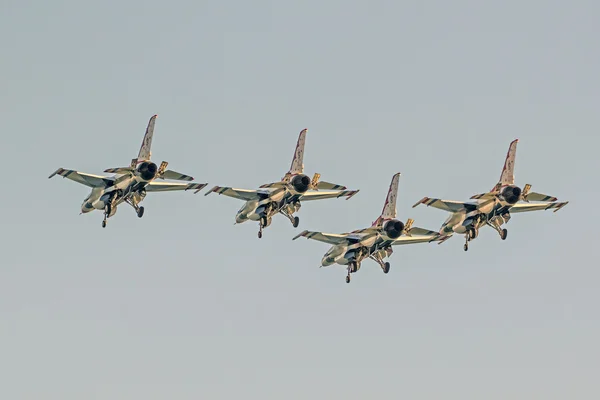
375,242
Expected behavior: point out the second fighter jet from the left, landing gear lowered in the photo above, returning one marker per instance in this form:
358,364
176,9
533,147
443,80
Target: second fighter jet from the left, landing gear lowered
283,197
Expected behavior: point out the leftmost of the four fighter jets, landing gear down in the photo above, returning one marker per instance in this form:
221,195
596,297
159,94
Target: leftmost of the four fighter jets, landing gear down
130,184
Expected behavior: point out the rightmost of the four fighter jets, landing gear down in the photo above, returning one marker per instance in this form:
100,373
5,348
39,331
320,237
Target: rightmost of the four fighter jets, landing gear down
493,208
